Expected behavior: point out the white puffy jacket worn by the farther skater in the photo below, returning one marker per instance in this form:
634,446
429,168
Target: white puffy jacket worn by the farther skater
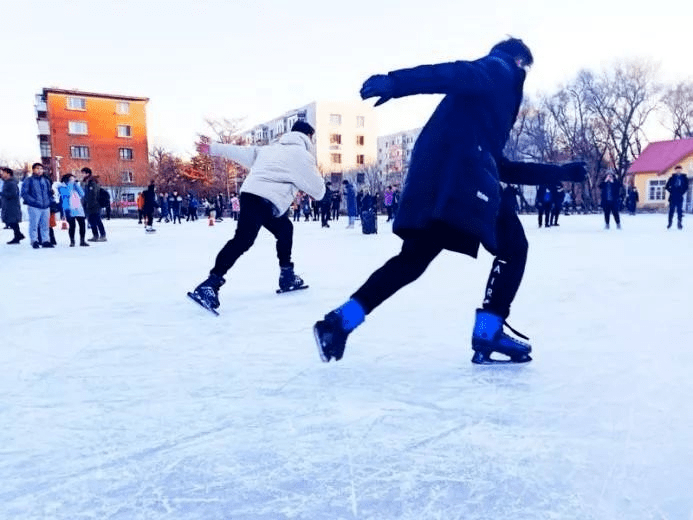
277,171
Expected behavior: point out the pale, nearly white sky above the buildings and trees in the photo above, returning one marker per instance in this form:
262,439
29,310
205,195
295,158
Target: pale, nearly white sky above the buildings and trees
257,59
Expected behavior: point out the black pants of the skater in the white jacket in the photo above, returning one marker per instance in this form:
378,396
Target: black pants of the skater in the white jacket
256,212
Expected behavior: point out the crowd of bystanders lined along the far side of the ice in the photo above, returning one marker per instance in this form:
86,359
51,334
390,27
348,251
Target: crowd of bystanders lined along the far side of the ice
84,204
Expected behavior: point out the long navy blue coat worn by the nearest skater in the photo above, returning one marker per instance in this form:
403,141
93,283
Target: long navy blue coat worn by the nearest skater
457,162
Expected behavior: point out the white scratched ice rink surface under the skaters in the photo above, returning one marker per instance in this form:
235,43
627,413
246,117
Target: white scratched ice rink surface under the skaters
121,399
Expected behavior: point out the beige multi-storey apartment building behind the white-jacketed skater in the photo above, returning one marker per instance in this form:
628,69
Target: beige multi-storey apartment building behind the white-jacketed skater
345,134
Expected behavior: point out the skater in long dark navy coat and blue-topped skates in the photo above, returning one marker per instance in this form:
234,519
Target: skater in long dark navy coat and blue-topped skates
452,197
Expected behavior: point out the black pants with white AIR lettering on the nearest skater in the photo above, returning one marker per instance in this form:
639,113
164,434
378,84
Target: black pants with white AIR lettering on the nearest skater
417,253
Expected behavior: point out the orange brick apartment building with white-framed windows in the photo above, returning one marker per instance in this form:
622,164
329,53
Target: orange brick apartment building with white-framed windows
107,133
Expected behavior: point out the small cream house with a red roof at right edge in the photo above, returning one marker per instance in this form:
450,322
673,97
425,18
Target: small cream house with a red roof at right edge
656,163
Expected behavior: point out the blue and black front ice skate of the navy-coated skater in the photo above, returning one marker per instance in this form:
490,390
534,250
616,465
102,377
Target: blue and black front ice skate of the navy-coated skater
488,337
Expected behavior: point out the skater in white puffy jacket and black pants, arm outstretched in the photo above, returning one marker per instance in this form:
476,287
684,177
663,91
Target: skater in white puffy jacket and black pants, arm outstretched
277,173
